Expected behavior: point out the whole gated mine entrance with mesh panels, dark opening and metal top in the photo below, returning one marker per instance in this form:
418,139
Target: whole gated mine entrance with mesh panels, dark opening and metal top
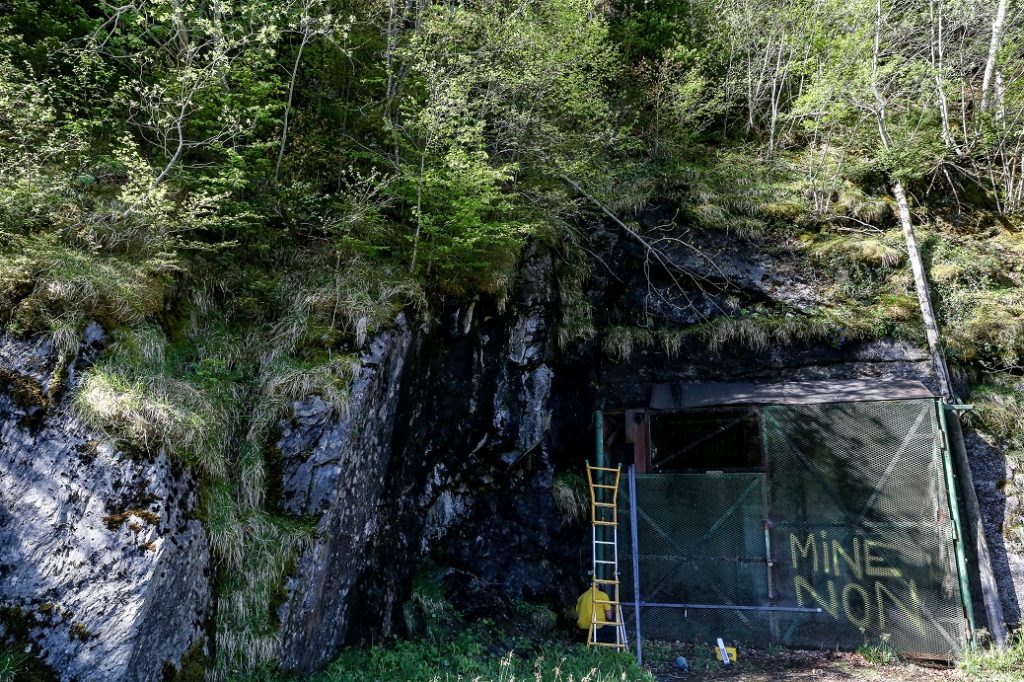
812,516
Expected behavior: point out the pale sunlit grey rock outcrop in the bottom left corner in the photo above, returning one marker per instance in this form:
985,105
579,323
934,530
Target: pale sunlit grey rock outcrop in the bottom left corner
103,567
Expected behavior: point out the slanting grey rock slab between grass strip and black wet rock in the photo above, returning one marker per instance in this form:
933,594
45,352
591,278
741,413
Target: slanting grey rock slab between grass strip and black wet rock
336,470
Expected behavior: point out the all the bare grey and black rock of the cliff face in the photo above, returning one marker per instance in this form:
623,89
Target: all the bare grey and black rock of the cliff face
449,450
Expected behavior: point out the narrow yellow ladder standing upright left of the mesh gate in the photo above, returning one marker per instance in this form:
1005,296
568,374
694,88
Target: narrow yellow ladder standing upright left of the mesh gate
604,484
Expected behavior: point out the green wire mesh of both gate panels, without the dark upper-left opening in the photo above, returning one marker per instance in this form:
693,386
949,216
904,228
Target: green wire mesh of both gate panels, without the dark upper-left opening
852,519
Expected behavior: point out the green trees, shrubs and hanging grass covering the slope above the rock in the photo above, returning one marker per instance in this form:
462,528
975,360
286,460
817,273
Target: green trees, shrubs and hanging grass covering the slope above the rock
240,193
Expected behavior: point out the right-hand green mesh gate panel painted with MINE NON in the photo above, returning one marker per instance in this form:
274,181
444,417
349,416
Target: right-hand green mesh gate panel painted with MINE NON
861,525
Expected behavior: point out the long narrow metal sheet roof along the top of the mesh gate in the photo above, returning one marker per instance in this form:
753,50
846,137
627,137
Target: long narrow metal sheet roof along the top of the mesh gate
685,396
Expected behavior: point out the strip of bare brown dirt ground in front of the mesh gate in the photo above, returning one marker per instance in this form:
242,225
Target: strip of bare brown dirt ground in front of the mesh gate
761,666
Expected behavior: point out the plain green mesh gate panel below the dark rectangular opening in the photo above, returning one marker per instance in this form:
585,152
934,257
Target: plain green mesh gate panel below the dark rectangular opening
702,542
